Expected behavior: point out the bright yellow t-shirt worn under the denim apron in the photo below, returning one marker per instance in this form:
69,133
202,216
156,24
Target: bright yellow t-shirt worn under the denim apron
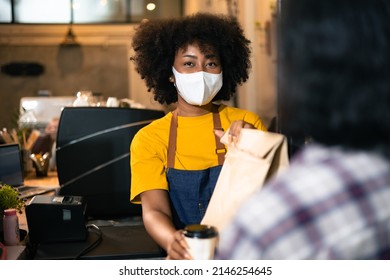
195,147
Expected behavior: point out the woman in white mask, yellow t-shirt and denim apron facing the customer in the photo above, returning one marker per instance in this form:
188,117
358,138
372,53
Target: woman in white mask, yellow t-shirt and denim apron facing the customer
175,161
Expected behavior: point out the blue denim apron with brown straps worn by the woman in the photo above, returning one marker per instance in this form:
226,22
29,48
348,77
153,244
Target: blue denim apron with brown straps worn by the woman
190,190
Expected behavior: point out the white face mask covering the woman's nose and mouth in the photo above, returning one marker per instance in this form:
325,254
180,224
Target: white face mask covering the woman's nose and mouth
197,88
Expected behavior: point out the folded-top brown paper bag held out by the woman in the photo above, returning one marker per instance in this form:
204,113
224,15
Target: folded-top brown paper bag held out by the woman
256,157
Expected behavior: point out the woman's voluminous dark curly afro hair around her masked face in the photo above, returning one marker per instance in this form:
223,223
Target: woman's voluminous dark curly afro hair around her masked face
156,42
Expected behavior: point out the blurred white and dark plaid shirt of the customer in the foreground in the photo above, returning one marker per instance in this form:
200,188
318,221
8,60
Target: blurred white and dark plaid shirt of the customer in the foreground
330,204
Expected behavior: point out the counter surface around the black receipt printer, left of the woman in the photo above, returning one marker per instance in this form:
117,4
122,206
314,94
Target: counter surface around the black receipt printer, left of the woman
114,234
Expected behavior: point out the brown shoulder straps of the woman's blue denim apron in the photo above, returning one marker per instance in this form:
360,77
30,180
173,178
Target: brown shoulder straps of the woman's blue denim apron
220,148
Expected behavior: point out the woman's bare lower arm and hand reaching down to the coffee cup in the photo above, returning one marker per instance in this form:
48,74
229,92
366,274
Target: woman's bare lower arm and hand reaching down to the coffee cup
157,217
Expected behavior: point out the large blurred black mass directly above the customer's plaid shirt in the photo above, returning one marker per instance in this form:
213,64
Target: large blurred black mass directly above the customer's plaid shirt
335,71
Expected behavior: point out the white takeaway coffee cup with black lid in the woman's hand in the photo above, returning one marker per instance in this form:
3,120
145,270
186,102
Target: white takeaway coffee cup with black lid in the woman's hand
201,240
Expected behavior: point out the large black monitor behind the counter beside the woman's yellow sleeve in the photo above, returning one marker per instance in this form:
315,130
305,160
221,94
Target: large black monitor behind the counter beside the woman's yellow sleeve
93,160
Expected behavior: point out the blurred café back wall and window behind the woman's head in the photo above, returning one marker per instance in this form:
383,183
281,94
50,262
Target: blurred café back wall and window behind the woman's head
59,48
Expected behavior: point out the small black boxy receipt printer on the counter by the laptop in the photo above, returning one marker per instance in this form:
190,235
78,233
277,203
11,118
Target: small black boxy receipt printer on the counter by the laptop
56,219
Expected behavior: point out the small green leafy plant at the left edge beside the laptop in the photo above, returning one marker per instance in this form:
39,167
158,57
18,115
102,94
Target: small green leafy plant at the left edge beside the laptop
9,198
